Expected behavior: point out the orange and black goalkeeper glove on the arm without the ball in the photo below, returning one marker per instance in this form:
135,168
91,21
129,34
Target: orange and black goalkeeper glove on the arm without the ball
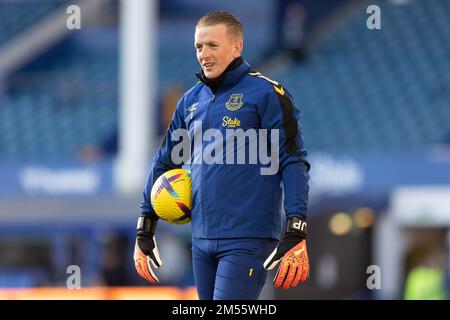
291,251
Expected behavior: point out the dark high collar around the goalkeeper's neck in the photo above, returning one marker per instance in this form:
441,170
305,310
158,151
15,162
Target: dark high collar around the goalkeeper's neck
230,76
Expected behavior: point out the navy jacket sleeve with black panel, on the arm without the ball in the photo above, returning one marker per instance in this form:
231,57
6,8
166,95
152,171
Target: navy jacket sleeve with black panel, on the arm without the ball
278,111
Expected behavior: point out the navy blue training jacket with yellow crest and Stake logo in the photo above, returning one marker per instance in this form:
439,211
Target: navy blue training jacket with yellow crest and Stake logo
236,200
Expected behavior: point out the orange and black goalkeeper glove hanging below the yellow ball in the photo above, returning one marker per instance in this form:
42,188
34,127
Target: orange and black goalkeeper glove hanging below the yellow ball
146,254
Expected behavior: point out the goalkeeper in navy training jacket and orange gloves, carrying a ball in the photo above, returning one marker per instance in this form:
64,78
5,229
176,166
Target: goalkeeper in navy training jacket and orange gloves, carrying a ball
237,230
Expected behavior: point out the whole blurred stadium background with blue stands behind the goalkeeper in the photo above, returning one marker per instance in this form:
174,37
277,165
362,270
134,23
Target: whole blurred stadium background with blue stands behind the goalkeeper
82,109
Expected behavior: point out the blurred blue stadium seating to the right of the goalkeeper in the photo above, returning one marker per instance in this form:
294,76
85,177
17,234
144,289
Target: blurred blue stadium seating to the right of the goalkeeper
364,90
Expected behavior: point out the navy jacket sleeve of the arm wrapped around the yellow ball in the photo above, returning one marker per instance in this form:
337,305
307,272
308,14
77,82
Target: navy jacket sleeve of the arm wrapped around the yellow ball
162,161
